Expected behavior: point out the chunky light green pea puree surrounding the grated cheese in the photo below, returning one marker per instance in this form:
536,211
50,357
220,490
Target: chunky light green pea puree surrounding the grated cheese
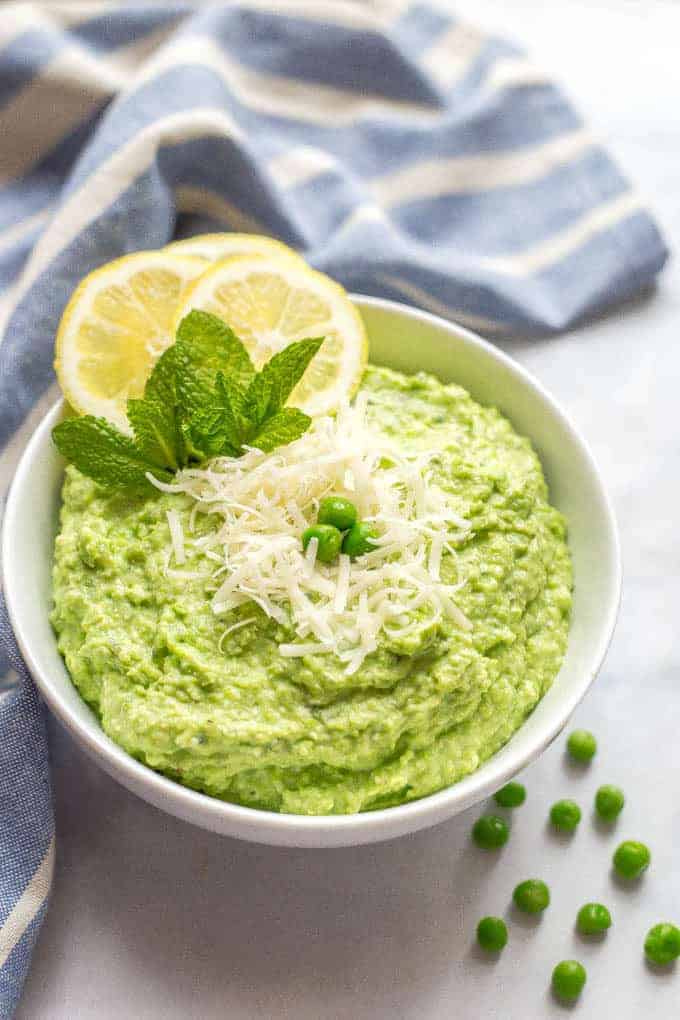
241,723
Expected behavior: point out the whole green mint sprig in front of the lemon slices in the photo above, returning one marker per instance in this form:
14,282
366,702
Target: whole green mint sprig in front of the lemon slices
203,399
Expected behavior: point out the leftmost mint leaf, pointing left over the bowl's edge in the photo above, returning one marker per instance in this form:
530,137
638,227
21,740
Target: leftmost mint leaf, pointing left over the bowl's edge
101,452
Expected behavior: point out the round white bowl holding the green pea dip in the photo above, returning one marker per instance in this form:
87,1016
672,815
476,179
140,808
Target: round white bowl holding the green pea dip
408,340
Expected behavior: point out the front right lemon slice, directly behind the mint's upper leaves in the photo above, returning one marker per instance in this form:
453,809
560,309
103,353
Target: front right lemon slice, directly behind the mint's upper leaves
272,302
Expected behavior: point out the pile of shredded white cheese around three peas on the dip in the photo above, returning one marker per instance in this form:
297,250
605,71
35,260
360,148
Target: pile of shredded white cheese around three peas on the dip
265,502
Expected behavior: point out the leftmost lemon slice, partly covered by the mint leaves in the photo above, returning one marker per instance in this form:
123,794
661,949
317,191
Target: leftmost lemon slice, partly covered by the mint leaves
119,321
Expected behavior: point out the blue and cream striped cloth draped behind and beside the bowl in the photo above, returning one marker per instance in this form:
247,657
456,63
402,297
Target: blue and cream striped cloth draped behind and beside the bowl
405,154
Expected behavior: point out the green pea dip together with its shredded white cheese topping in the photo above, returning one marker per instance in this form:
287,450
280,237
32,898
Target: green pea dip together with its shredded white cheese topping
260,684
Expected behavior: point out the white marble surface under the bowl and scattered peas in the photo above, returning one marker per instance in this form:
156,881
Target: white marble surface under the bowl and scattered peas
154,920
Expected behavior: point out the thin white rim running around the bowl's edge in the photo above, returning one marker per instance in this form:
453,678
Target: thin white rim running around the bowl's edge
319,831
